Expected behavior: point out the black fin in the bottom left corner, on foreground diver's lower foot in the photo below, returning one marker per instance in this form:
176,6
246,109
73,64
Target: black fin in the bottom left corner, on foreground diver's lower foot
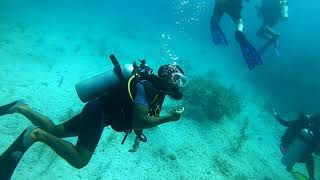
12,156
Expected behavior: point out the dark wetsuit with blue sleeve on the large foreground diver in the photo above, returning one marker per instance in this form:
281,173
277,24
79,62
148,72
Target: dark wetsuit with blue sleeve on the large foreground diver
99,113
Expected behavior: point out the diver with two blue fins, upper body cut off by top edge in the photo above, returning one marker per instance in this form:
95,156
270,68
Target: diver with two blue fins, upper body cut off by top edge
233,9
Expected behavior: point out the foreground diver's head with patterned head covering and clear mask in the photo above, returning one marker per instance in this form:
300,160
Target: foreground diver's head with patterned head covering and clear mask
173,79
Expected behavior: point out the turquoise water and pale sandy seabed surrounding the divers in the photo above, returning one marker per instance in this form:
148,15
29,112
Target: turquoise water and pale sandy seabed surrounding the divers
47,47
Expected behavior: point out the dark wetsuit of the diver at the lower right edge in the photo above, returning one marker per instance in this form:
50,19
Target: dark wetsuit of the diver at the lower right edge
293,130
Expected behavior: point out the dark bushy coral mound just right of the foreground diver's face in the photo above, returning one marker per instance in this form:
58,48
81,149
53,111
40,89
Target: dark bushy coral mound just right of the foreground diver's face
206,98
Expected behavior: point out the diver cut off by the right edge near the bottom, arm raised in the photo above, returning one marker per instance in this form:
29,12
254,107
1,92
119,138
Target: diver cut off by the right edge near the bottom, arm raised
300,141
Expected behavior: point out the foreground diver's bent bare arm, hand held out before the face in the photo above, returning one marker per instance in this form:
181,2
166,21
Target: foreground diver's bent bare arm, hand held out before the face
141,120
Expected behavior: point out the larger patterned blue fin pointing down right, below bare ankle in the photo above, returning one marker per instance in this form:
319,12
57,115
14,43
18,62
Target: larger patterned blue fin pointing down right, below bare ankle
250,54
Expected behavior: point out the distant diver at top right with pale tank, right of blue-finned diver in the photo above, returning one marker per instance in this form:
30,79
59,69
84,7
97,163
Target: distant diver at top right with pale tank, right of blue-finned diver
271,12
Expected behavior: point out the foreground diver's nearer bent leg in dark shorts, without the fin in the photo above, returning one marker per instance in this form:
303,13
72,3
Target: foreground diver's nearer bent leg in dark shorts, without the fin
88,125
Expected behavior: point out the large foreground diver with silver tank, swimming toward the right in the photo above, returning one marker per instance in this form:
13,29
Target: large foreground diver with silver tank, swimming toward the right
128,98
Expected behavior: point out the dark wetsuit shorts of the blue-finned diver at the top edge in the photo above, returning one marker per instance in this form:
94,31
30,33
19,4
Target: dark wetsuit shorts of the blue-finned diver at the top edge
231,7
